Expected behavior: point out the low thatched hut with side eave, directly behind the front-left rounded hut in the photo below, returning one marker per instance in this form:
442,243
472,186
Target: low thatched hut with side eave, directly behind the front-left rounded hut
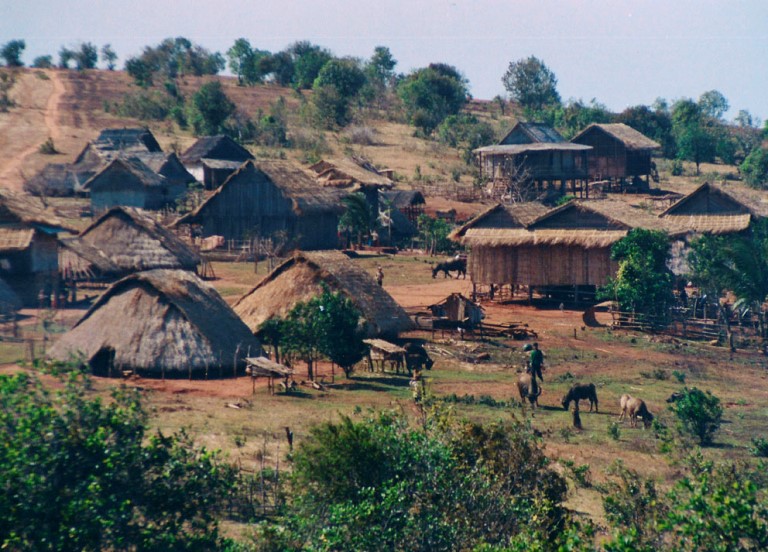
125,240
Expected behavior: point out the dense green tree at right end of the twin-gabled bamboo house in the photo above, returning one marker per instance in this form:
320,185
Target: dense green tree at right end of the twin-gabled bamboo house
643,283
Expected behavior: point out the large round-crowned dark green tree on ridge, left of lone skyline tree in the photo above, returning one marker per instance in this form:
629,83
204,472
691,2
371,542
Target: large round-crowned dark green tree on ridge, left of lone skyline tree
431,94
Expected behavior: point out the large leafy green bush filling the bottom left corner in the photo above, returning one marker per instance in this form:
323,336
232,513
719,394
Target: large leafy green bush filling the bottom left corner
80,473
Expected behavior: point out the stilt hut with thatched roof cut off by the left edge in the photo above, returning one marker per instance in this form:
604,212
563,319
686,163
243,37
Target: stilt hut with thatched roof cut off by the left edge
28,247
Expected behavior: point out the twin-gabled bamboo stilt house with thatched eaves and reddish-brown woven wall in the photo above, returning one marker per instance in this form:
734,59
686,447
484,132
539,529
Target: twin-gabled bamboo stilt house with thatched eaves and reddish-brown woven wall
568,246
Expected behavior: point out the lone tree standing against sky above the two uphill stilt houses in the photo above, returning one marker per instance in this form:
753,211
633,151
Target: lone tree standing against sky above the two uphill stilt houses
532,84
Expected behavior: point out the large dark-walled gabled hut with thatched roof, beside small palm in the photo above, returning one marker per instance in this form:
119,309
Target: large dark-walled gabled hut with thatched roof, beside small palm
270,198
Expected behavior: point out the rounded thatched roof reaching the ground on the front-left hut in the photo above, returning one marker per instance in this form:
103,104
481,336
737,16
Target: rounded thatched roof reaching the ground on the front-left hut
162,322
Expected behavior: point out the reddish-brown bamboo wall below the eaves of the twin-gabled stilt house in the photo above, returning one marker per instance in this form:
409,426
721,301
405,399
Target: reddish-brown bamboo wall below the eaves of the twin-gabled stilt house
541,266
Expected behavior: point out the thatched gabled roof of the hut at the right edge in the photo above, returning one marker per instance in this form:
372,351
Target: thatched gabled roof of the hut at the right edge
712,209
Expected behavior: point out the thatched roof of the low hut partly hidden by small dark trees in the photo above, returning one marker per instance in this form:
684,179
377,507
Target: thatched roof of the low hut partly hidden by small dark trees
299,279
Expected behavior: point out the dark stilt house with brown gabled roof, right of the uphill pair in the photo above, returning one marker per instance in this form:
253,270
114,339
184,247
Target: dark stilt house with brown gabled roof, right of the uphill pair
620,153
